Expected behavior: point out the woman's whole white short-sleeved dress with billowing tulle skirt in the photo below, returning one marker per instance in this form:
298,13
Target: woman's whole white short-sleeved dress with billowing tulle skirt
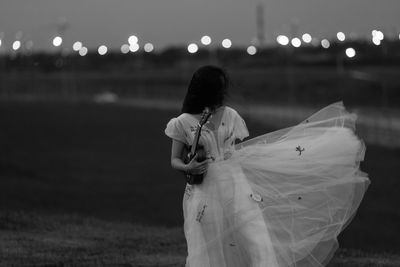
279,199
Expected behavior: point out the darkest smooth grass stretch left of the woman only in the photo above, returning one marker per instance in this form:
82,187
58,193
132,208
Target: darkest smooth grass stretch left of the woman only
98,160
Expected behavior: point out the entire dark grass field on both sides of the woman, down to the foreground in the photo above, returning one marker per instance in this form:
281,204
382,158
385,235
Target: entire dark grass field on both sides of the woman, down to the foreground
73,169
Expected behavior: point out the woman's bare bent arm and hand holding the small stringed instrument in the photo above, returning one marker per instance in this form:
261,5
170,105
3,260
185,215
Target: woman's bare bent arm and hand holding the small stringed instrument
177,163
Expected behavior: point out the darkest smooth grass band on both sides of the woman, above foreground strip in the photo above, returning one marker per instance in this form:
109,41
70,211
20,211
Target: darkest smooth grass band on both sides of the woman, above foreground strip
112,163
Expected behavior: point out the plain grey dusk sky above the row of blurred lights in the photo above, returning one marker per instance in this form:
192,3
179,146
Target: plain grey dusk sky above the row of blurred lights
180,22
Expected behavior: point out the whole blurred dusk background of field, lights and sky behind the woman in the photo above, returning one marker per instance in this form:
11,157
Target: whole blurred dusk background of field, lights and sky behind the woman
86,90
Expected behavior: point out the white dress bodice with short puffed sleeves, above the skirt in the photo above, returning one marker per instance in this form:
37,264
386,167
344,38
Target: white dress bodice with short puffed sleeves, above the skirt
218,143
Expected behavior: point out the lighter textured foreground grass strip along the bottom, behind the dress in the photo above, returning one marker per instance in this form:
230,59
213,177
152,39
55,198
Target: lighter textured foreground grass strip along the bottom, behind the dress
29,239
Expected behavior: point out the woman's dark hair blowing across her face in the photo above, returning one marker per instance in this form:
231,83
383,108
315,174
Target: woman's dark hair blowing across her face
207,88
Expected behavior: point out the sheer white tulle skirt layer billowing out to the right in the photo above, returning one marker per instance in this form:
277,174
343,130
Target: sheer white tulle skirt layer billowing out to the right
309,180
